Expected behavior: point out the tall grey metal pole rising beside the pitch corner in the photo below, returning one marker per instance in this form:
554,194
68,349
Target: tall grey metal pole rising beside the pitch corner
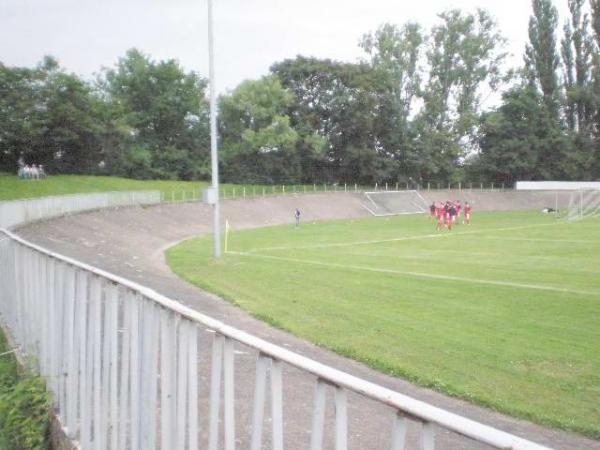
213,135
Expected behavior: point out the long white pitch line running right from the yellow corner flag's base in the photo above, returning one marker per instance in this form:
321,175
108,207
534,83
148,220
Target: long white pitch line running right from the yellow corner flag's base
418,274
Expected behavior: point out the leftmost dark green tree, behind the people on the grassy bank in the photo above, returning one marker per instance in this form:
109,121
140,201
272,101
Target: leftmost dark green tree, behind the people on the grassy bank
49,117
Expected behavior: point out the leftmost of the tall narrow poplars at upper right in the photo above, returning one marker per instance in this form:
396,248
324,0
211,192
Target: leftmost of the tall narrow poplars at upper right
541,58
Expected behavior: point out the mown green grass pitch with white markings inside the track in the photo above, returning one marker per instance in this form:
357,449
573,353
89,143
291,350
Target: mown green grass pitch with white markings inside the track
503,313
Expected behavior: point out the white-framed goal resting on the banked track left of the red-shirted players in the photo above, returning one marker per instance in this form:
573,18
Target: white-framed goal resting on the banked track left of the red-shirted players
391,203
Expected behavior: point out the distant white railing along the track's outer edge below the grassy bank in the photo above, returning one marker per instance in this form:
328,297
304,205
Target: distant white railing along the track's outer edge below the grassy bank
17,212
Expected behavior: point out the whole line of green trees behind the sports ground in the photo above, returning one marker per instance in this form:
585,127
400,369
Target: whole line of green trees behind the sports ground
411,111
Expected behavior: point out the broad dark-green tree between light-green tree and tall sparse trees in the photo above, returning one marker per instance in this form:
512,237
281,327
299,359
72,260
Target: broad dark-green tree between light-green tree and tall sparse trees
334,108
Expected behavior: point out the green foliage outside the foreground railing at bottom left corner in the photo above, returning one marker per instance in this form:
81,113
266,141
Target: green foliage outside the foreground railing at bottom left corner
24,406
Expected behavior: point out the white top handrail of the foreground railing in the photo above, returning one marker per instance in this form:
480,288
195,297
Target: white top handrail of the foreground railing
403,404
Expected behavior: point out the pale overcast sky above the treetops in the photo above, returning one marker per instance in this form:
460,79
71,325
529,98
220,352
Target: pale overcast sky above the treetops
251,35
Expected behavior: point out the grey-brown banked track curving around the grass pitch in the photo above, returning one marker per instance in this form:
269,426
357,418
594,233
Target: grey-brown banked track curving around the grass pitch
130,242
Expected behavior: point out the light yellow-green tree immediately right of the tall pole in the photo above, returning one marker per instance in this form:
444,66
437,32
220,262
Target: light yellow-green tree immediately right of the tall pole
258,143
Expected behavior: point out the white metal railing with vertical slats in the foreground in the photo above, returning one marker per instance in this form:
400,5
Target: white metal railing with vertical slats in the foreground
124,363
